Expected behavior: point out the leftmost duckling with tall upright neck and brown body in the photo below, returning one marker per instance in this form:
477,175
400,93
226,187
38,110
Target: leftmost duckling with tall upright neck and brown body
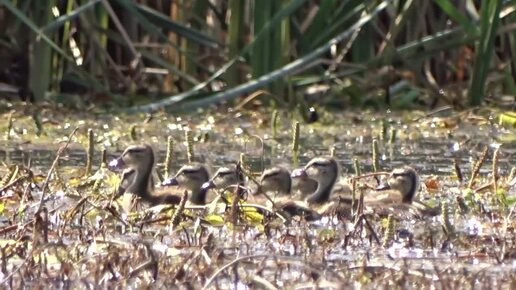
137,162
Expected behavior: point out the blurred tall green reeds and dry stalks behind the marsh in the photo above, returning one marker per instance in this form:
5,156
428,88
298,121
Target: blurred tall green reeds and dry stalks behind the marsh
187,54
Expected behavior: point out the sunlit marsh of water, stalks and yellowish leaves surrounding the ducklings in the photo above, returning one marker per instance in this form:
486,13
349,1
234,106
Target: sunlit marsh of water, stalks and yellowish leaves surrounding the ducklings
63,226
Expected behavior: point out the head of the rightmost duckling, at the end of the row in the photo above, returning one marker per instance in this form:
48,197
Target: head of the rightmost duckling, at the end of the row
405,180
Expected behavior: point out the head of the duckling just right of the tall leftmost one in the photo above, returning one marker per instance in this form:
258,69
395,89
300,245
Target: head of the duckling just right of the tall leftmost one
191,177
